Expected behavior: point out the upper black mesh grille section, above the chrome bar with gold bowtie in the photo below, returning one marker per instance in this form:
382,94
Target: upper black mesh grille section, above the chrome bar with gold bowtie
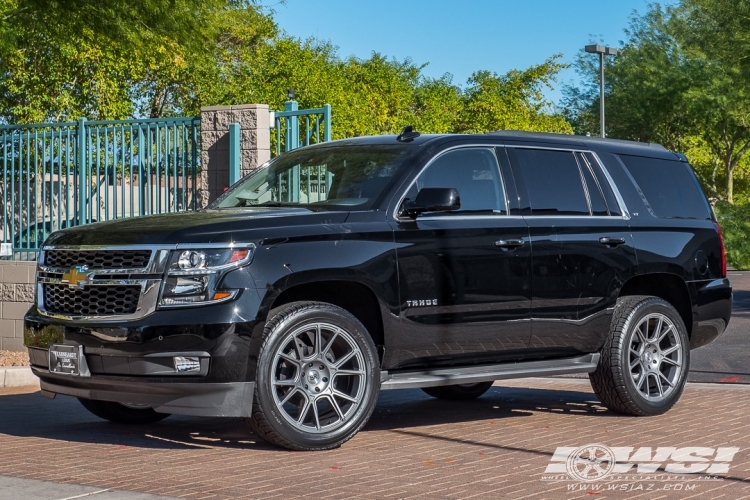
98,259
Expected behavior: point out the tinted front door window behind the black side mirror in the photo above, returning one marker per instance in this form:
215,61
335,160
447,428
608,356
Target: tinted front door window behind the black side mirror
474,172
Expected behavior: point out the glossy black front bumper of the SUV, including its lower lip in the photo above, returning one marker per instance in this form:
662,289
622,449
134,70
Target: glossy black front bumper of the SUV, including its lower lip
132,361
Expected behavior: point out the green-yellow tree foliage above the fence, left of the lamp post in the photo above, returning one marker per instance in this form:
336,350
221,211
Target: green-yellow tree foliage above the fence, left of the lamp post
65,59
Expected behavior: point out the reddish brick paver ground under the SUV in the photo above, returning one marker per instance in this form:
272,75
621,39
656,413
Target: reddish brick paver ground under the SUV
414,447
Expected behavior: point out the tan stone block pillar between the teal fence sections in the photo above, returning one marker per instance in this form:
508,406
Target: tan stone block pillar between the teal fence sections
255,145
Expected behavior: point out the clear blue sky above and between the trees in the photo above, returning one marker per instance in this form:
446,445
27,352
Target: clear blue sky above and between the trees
460,37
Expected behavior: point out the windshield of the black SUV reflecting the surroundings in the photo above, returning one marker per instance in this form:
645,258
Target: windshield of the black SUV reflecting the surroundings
320,178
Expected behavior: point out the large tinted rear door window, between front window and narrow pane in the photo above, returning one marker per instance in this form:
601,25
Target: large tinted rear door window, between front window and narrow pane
553,182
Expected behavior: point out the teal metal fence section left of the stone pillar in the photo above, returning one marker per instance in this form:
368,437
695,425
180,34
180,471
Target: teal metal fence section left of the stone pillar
58,175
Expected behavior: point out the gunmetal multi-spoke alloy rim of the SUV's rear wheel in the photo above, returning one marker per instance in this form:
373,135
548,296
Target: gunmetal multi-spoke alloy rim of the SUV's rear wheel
655,357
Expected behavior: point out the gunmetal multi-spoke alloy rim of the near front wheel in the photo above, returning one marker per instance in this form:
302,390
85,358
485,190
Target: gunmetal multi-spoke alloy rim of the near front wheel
318,377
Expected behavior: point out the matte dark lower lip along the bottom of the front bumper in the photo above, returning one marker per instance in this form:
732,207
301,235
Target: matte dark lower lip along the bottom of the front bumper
230,399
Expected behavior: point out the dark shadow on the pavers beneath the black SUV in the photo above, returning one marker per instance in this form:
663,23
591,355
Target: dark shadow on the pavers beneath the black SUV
64,419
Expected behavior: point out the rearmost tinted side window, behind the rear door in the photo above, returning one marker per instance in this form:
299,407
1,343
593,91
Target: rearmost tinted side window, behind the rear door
670,187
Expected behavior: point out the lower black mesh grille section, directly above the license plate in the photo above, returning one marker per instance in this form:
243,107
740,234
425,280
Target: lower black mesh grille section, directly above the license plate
97,300
